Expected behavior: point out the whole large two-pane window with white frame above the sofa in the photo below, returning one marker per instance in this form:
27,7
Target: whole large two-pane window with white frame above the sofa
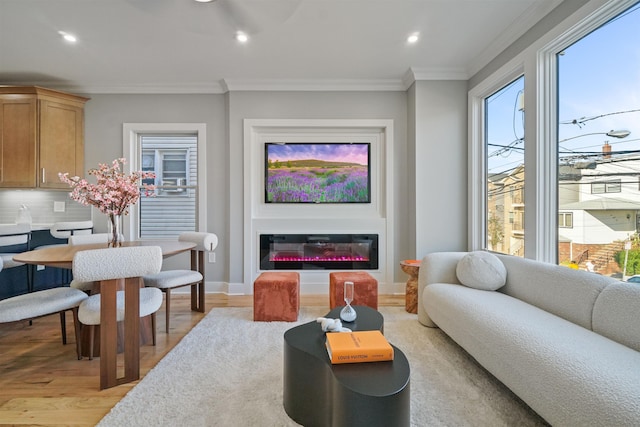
581,106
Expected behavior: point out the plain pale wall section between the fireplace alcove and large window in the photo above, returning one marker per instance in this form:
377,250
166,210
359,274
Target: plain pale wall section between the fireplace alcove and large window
440,165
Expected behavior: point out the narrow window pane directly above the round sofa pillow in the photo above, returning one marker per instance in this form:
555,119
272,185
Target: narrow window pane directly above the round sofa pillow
504,137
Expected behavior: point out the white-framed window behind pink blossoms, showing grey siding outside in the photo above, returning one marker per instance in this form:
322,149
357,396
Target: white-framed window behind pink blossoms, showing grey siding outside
175,152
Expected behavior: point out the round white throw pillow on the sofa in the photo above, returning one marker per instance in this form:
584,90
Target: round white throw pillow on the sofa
481,270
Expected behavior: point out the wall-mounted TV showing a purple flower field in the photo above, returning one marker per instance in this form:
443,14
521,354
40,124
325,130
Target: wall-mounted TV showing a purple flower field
301,172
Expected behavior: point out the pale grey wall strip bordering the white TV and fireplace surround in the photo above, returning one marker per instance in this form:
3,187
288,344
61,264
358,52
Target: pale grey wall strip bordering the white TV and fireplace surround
310,105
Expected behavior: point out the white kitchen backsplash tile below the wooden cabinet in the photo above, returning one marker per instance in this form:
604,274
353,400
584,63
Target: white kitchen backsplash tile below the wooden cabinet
40,203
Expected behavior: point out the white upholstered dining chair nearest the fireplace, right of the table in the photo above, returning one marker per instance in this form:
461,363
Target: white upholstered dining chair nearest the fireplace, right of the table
171,279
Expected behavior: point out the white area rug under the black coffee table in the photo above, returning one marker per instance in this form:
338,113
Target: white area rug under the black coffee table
228,372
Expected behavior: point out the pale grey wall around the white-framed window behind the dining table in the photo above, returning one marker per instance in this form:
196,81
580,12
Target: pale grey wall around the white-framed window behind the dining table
104,117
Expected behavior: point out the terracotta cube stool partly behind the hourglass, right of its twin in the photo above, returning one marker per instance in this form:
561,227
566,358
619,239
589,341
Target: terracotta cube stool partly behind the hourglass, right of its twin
365,288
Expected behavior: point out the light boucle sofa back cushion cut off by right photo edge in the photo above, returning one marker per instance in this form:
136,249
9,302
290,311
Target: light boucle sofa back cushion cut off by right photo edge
616,314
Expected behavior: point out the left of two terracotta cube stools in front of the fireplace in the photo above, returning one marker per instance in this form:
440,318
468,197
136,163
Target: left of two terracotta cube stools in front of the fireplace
276,297
